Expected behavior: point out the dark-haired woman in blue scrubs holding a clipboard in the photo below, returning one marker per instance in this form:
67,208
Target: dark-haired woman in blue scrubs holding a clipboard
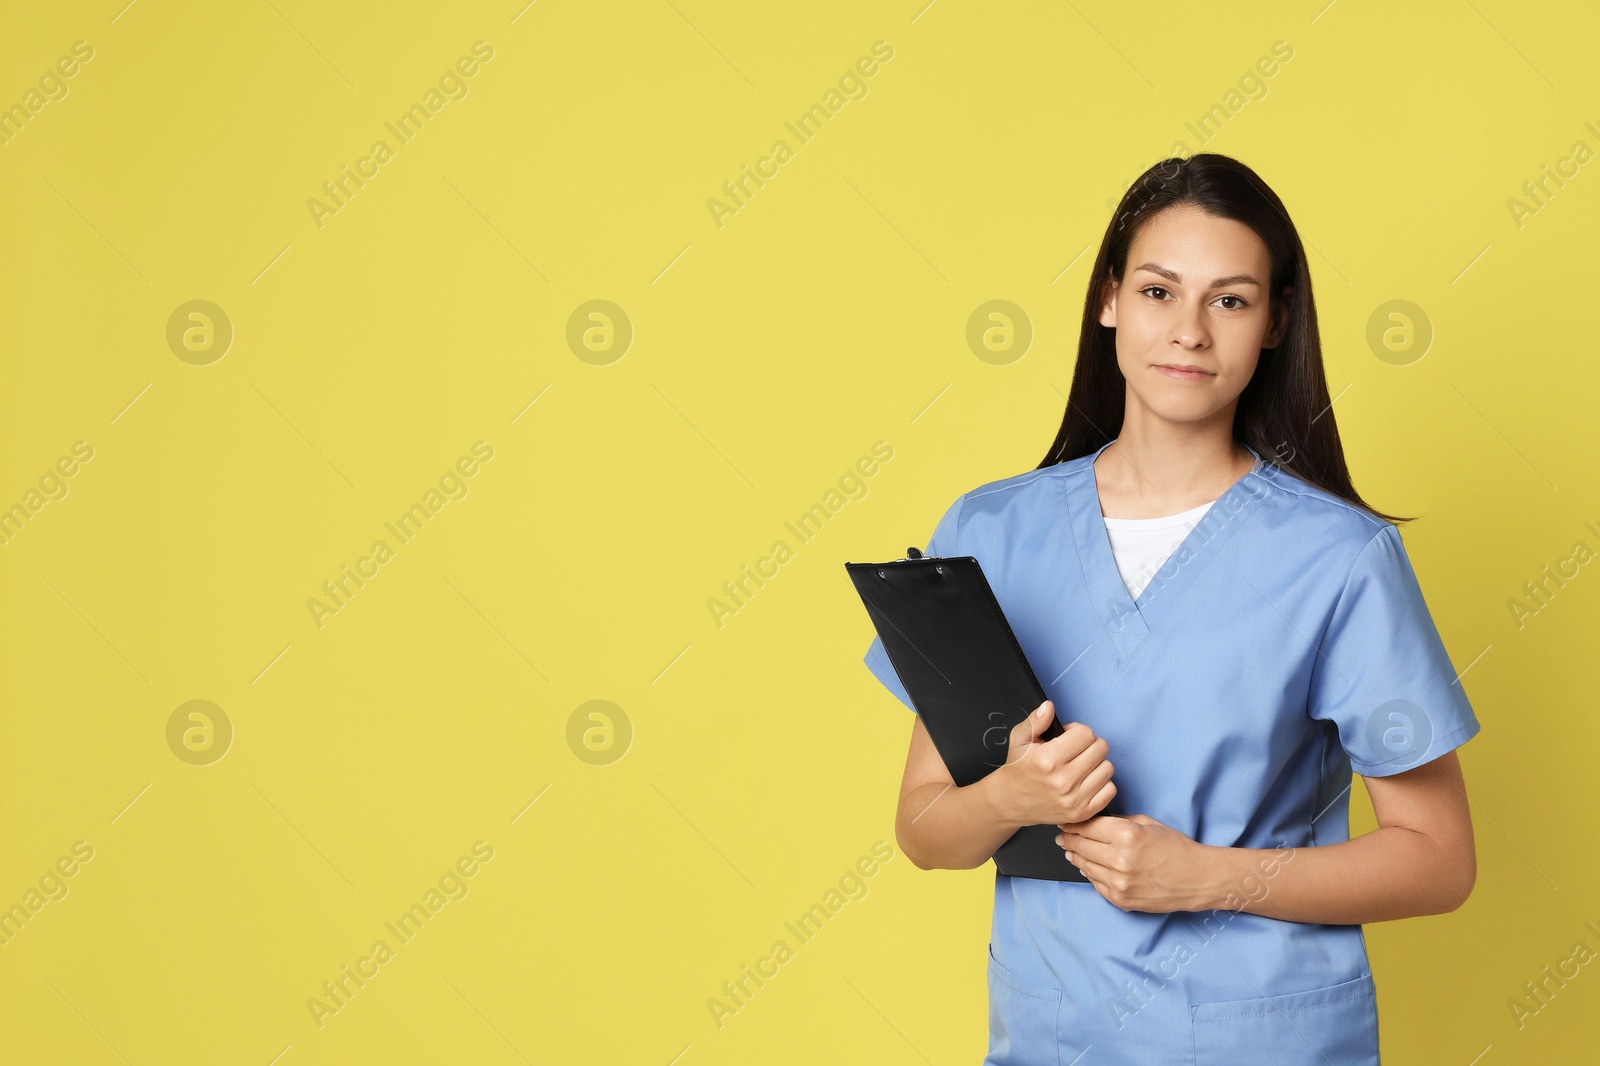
1228,631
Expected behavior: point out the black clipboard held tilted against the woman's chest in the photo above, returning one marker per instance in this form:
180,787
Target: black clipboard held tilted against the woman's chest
967,676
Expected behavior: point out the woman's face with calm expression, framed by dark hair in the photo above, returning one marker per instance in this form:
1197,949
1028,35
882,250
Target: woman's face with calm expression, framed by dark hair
1194,295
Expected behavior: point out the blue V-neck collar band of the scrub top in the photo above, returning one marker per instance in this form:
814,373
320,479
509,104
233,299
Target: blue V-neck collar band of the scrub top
1129,622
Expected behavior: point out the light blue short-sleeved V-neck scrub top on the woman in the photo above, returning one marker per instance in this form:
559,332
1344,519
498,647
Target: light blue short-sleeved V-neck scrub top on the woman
1284,644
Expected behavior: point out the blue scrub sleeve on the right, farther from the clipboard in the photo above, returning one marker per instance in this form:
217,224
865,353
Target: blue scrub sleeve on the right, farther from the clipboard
1383,676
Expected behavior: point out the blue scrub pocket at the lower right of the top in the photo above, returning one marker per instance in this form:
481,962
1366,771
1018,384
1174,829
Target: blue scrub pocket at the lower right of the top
1326,1027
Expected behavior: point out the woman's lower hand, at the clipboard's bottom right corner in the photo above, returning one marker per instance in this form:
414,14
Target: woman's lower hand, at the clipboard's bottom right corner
1138,864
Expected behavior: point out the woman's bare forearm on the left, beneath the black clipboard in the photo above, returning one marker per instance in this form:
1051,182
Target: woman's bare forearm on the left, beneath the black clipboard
943,827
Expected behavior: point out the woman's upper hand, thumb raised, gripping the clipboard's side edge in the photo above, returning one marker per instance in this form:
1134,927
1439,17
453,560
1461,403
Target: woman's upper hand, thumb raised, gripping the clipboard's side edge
1066,779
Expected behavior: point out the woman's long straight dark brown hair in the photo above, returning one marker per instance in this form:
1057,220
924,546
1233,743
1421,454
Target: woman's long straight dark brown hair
1284,414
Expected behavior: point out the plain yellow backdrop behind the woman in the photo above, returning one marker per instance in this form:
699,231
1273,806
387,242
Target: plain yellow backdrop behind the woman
769,356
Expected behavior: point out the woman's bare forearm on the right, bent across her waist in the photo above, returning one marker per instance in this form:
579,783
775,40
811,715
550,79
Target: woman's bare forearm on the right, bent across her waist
1386,875
